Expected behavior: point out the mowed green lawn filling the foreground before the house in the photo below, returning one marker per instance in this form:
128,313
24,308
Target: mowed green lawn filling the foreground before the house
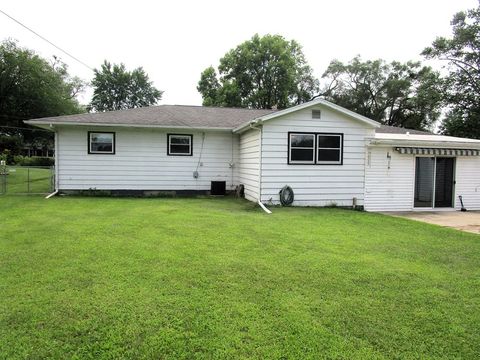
105,278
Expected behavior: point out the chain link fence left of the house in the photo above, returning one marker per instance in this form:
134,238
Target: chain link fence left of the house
24,180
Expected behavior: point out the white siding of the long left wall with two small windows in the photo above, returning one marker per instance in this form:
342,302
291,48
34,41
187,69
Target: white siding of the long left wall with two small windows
141,161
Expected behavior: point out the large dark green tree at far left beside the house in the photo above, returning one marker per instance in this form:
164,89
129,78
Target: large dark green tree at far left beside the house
31,87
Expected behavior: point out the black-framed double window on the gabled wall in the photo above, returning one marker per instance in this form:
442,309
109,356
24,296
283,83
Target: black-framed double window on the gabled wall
315,148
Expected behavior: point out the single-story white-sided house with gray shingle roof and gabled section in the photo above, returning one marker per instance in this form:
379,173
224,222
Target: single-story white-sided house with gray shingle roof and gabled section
327,154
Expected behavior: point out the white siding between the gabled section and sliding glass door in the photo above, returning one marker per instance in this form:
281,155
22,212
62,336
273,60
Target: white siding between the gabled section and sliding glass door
389,189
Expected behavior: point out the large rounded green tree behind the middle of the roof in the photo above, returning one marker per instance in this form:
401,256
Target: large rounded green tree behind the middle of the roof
261,73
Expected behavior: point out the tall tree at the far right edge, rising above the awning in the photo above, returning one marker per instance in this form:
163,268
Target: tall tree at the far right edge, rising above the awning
461,89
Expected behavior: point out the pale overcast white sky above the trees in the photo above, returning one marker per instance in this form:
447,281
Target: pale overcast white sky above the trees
174,41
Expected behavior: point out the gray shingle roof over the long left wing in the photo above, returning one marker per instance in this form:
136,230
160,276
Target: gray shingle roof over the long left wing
165,115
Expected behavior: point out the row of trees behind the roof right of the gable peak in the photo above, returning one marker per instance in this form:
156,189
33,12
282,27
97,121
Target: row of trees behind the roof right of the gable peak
397,94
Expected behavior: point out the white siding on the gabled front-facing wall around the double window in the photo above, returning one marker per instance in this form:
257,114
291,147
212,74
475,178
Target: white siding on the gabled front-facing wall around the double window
314,185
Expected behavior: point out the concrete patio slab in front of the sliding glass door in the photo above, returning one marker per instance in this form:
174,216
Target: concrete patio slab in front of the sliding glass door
466,221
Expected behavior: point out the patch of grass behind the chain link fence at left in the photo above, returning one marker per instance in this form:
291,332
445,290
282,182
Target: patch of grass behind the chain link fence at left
27,180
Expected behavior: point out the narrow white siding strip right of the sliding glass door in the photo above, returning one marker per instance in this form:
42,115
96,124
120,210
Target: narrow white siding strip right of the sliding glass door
468,182
